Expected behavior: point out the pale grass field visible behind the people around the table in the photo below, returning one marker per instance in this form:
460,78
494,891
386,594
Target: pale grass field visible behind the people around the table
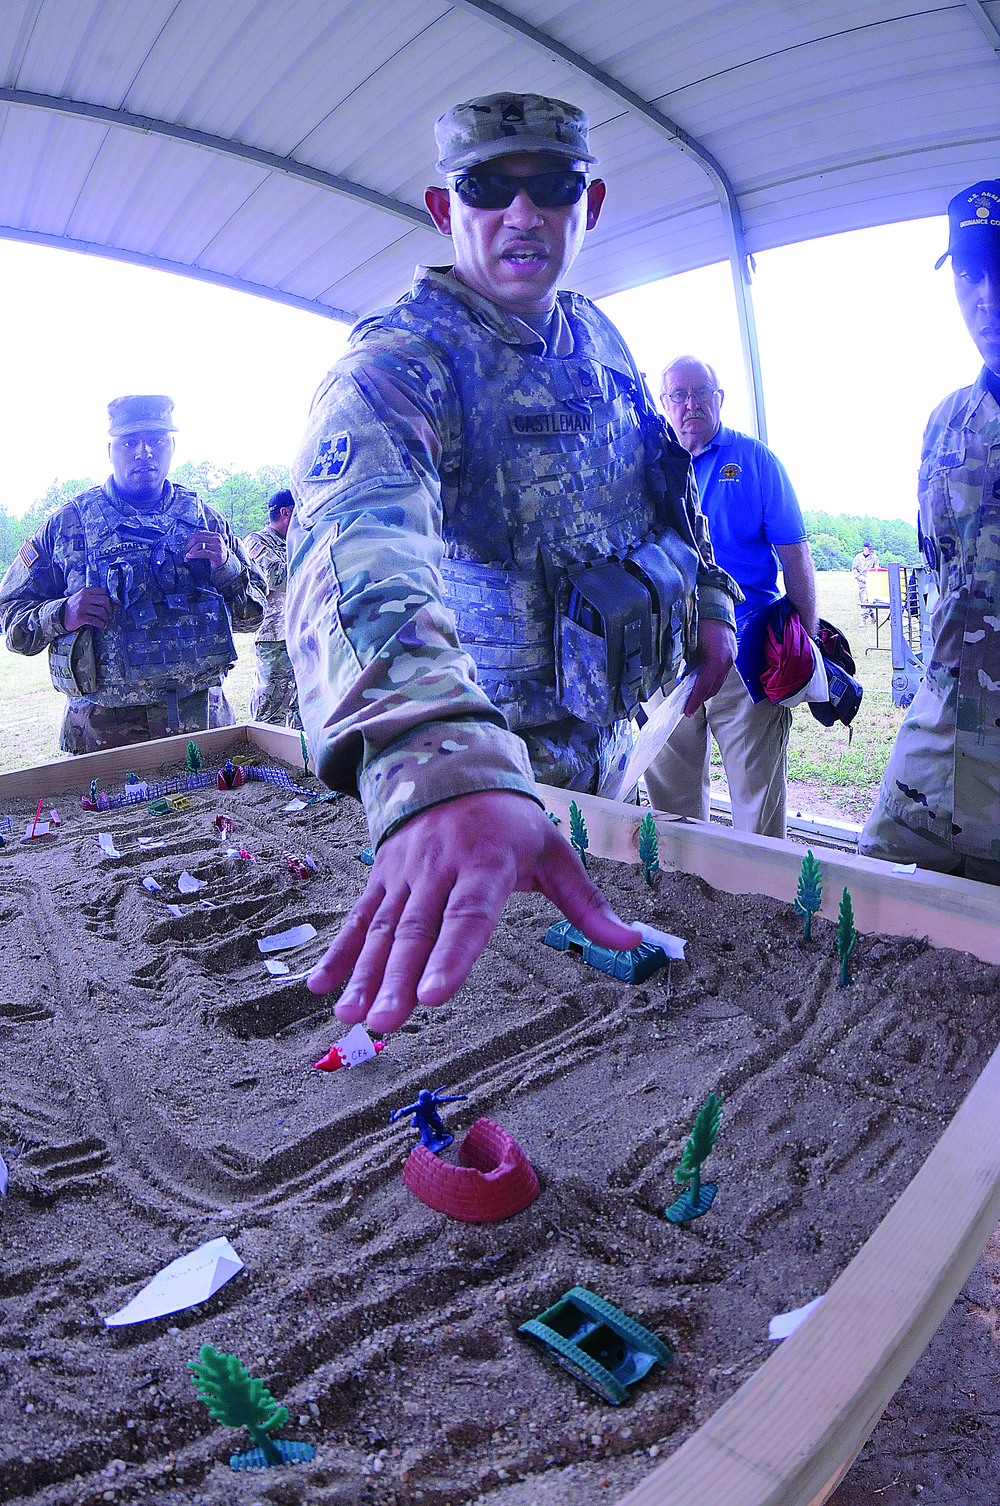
847,773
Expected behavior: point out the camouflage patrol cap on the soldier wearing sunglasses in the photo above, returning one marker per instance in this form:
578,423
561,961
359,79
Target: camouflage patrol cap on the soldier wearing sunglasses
496,126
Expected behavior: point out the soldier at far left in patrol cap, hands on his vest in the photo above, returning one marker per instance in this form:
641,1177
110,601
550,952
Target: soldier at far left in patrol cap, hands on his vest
133,588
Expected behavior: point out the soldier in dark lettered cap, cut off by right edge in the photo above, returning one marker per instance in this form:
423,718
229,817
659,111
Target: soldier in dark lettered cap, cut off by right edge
939,805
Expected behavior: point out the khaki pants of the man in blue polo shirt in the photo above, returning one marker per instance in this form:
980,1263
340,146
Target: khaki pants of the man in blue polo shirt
752,742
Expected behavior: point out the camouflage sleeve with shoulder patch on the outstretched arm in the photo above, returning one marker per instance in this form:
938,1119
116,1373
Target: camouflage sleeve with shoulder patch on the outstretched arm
388,697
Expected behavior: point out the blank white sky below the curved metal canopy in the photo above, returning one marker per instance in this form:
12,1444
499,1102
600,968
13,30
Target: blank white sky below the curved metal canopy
859,340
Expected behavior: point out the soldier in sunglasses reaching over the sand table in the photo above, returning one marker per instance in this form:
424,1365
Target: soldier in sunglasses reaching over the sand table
496,553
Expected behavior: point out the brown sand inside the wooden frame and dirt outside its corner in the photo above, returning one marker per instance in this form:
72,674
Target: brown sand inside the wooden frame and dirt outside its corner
157,1091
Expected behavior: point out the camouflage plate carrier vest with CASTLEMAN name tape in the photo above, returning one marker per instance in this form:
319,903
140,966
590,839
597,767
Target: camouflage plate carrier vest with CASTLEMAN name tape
572,585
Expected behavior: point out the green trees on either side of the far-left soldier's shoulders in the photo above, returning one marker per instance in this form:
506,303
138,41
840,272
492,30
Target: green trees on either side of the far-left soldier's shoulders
240,496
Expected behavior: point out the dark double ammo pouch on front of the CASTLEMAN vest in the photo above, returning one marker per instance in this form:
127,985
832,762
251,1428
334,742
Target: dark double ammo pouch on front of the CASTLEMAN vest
623,627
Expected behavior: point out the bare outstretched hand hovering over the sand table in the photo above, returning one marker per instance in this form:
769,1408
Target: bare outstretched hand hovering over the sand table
434,897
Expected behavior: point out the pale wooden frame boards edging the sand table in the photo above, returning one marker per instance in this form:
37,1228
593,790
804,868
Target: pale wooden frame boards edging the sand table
791,1433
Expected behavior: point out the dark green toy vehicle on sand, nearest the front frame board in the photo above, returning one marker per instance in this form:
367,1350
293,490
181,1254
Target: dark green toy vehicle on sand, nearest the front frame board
597,1344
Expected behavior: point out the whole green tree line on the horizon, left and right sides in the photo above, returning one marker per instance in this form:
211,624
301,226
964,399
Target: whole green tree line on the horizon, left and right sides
242,499
